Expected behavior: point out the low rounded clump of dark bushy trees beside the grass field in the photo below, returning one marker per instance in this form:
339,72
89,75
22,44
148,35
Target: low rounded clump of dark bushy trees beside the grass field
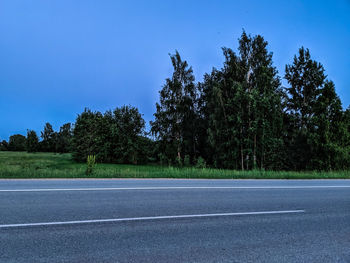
115,137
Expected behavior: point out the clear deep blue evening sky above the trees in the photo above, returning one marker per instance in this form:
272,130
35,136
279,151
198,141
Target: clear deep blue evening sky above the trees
59,56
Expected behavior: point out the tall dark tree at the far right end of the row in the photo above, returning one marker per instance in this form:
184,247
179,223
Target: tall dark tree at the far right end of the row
317,134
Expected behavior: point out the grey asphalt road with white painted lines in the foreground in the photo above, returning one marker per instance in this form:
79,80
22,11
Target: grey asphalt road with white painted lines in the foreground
174,220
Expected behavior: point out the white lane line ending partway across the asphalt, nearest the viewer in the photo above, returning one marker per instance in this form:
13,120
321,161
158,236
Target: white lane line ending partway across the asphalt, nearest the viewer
148,218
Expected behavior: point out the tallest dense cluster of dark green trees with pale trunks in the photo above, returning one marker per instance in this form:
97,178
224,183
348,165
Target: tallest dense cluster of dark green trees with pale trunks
241,107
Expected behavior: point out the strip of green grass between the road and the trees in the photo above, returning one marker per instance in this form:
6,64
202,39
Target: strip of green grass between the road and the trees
49,165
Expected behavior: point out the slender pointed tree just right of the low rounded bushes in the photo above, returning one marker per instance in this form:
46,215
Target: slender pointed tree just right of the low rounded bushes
176,114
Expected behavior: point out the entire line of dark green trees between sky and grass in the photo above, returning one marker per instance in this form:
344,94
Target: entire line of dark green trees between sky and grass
238,117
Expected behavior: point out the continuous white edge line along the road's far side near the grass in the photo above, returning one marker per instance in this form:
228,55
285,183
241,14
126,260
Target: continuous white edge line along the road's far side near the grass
174,188
